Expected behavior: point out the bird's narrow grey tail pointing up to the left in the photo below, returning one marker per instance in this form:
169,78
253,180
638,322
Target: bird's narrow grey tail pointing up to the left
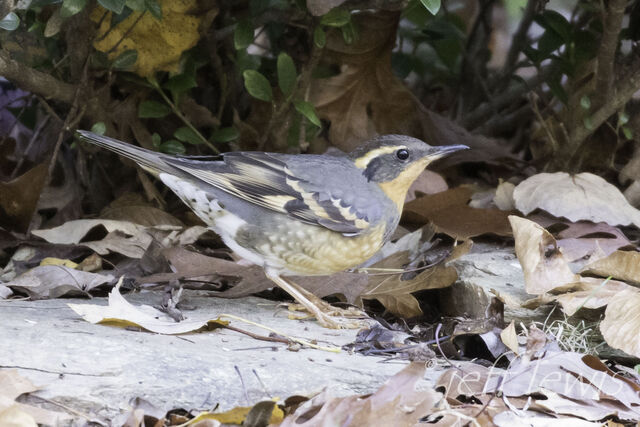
147,159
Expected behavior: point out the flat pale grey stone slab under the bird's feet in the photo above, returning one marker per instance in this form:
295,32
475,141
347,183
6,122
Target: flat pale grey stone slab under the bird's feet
98,369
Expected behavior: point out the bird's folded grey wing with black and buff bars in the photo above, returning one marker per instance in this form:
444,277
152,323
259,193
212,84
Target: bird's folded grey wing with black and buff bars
303,187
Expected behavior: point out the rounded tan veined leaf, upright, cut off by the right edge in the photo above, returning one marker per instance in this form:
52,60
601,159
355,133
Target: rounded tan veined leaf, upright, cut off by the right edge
621,322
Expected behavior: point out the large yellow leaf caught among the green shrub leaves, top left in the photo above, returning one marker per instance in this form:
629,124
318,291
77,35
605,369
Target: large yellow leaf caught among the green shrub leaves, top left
159,43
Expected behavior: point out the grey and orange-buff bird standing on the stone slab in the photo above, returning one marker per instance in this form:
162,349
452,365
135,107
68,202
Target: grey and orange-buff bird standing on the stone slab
295,214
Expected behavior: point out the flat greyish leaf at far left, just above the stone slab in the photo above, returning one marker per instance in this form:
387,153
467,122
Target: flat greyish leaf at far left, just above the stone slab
55,281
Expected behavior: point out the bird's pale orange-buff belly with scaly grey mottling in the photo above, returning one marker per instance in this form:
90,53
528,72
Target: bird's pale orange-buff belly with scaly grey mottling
297,248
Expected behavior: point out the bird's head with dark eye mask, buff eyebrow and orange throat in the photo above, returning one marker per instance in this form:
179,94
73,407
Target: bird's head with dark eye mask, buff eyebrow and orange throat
395,161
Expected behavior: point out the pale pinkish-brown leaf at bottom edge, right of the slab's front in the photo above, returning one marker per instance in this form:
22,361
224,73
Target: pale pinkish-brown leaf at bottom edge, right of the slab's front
397,403
